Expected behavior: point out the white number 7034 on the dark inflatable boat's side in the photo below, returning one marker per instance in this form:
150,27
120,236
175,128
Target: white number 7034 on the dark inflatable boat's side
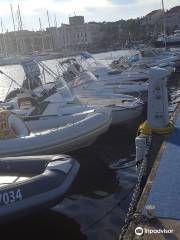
10,197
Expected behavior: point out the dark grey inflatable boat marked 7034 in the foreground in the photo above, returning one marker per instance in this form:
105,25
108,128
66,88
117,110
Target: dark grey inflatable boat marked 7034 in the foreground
31,183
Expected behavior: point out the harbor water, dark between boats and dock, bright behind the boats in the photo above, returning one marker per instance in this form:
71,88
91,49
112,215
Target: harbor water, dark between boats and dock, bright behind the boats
96,204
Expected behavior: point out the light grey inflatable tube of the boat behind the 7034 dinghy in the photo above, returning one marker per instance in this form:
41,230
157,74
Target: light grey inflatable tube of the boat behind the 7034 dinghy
59,140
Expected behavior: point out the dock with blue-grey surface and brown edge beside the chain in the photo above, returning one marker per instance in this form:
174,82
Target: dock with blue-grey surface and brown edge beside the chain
161,191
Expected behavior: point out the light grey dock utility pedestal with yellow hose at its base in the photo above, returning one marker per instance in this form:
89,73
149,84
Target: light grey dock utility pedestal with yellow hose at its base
158,118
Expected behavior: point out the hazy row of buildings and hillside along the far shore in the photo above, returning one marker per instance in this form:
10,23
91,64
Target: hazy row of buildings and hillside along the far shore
79,35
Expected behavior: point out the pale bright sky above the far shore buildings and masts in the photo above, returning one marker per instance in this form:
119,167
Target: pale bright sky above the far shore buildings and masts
93,10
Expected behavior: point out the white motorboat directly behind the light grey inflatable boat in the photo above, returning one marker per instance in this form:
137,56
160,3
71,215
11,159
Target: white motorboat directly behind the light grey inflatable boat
53,112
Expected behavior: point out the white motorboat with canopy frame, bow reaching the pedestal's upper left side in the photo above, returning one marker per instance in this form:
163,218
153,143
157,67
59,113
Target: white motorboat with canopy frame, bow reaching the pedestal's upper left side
82,81
